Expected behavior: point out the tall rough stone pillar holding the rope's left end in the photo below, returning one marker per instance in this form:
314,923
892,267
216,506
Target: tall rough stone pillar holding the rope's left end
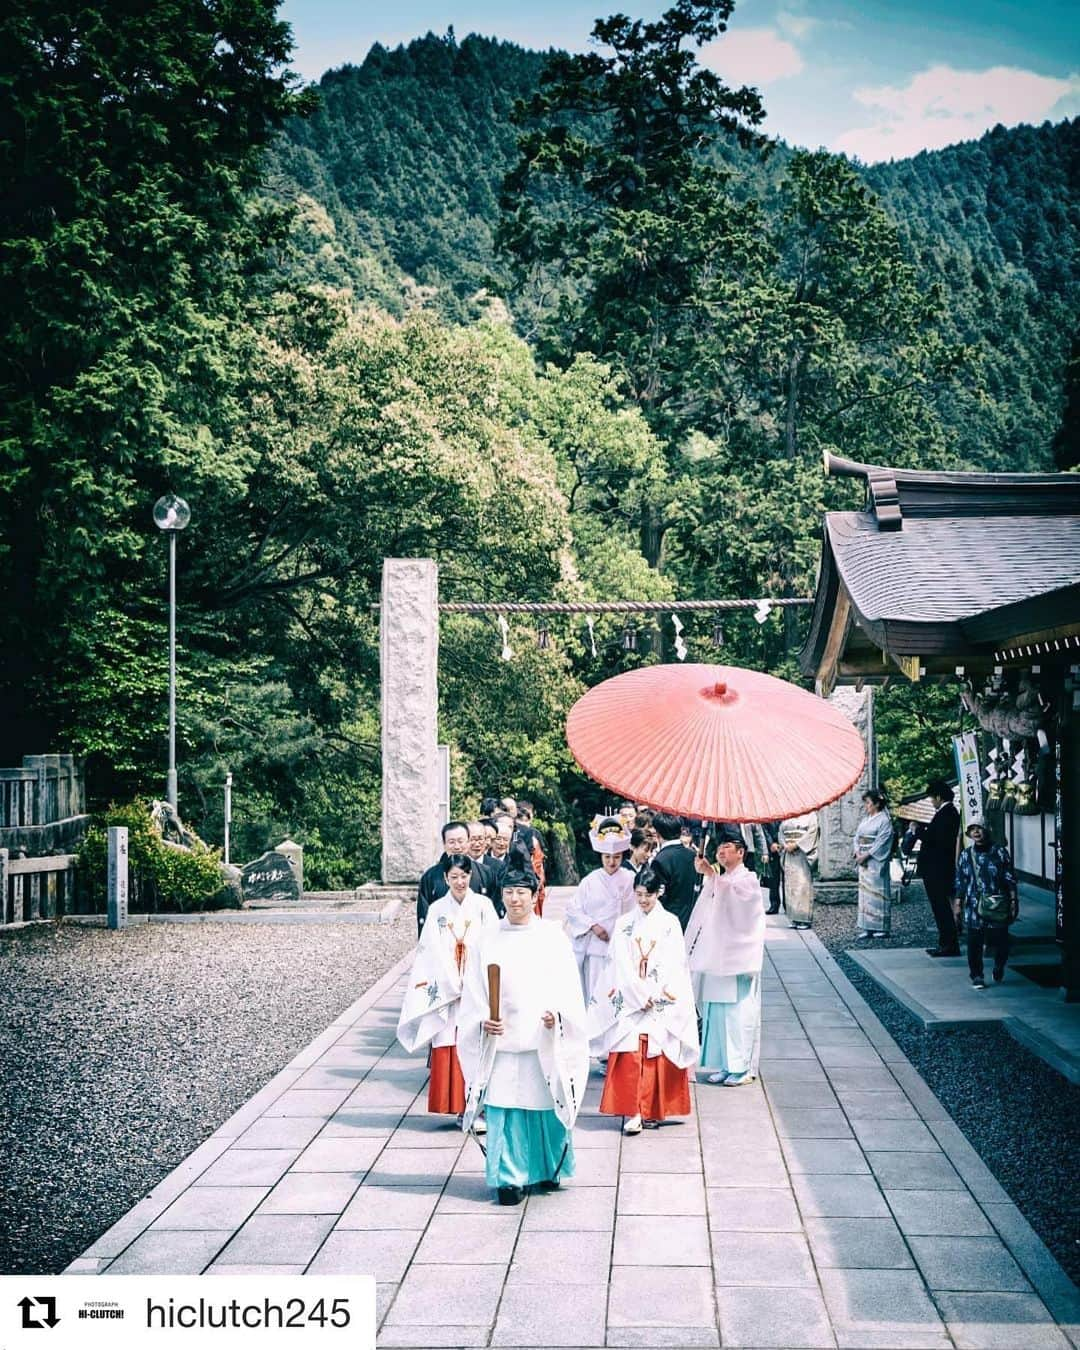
410,677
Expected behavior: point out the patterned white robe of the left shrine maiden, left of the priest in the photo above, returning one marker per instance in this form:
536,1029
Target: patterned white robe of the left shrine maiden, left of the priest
449,944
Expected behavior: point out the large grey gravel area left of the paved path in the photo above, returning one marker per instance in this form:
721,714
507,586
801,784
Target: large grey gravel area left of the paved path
124,1051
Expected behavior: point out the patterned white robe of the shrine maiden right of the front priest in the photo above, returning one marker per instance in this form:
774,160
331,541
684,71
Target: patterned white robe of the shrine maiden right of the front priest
647,992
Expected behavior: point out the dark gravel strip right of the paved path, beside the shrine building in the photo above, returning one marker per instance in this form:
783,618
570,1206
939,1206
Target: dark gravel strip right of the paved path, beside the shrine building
1020,1114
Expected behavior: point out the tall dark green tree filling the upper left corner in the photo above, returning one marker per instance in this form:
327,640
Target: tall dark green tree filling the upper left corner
130,136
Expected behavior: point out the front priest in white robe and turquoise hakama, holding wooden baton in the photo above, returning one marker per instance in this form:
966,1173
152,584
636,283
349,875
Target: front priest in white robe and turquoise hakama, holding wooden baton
526,1063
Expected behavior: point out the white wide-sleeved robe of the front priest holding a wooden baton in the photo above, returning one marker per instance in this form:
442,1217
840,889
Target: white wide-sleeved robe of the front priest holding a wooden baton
531,1067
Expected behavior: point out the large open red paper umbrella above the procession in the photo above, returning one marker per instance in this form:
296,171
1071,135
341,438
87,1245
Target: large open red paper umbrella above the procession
716,743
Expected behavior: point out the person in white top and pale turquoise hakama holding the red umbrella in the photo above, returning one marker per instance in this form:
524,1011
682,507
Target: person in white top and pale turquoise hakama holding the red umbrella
726,946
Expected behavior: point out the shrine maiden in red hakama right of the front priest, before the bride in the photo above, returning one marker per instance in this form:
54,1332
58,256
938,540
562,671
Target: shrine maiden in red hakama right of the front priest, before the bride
646,1020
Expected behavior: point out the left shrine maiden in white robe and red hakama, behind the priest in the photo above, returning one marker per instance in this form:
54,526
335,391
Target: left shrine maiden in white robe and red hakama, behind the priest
449,946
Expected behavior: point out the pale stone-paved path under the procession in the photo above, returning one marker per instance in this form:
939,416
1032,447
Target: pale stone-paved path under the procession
832,1205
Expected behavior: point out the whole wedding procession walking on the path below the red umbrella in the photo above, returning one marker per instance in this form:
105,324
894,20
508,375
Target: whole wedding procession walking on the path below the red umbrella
657,971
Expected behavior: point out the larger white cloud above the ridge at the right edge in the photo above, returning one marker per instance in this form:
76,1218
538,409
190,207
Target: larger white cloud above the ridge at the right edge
942,106
